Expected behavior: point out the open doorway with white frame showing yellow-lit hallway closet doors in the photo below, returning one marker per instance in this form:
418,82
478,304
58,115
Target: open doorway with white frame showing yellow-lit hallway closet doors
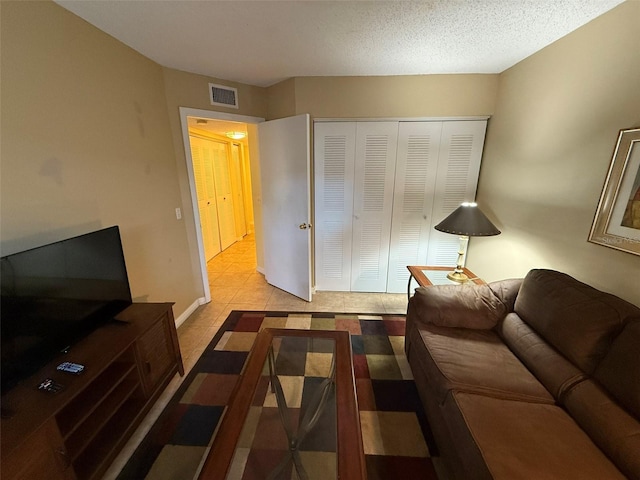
224,193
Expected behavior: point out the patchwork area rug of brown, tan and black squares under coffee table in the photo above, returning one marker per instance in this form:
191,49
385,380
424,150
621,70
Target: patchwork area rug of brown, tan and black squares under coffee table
395,433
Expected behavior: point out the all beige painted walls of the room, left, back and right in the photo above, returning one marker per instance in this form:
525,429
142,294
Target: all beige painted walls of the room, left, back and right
91,137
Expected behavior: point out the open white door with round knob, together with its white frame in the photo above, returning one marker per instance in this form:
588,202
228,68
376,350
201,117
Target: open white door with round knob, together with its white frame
282,145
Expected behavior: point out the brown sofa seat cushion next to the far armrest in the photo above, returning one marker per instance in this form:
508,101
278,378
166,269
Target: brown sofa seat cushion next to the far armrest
473,361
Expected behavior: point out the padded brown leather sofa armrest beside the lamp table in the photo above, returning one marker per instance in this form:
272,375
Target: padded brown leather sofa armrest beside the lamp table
467,306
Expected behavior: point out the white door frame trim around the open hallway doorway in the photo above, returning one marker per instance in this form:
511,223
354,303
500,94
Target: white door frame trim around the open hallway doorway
212,115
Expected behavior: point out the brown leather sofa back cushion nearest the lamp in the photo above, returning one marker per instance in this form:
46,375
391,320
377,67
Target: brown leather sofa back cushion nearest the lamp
575,318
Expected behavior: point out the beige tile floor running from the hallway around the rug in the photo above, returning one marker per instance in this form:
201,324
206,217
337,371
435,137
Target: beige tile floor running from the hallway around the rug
236,285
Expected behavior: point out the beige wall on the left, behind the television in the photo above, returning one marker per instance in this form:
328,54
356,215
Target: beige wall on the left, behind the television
86,144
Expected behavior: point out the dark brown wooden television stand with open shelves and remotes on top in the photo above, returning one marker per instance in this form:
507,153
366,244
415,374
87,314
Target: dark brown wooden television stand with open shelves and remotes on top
77,432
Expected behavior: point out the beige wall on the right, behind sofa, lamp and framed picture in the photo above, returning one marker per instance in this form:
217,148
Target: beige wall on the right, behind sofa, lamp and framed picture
547,153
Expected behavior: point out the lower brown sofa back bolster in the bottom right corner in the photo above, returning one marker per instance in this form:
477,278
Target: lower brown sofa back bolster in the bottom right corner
612,428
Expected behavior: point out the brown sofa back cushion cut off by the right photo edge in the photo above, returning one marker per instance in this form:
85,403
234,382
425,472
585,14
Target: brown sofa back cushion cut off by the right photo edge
619,371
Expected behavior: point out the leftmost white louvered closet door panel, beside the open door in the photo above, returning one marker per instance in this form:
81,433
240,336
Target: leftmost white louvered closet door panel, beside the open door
334,157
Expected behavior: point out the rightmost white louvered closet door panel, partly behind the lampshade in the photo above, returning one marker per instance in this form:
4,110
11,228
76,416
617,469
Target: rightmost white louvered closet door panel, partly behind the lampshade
458,168
